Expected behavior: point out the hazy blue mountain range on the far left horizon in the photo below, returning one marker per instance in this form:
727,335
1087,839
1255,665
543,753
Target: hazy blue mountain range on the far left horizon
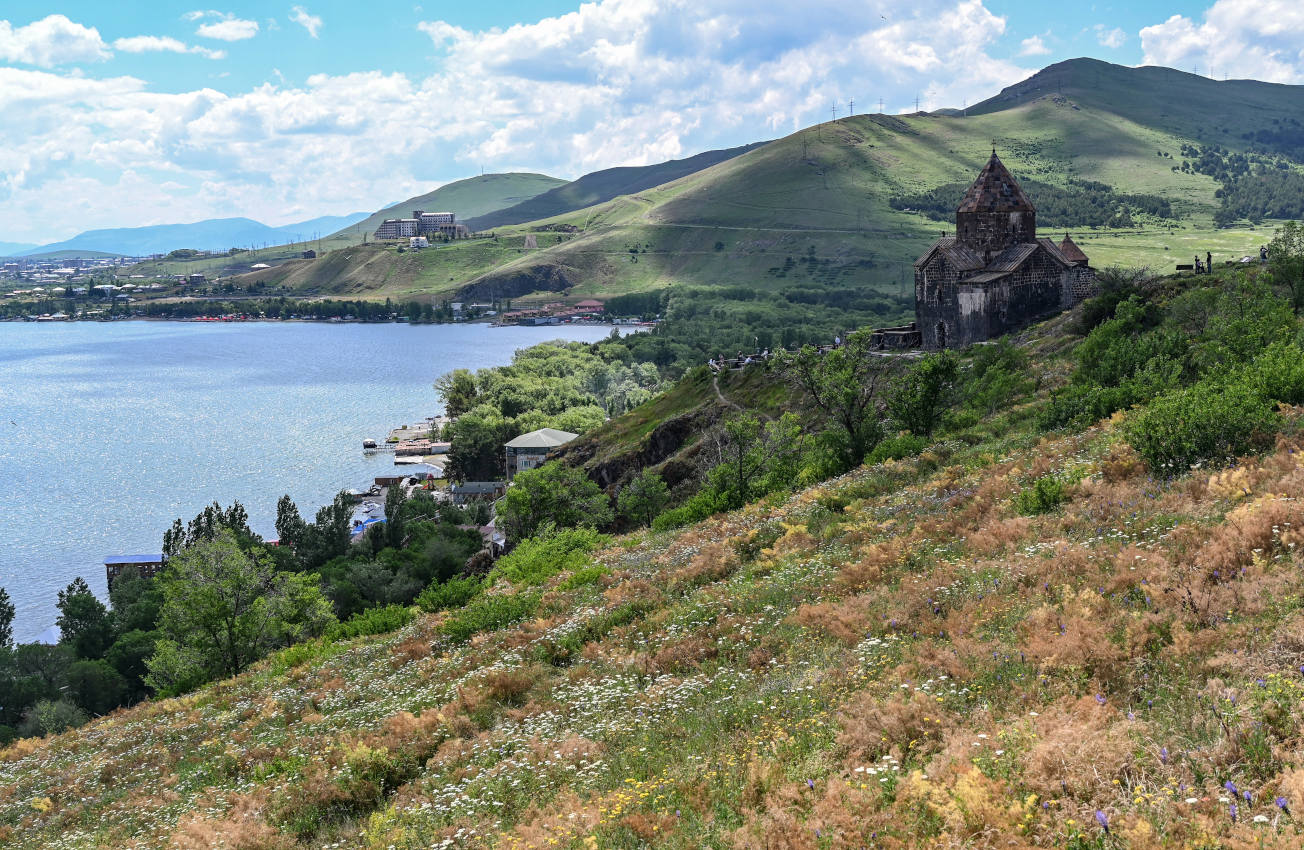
209,235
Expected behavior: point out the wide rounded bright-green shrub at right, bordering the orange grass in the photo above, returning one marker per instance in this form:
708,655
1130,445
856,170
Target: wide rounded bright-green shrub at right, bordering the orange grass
1206,423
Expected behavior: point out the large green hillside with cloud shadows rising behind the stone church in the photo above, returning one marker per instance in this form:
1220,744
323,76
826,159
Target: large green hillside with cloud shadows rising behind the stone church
829,188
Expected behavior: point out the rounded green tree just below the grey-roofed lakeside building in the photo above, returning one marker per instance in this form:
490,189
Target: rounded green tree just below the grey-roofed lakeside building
552,493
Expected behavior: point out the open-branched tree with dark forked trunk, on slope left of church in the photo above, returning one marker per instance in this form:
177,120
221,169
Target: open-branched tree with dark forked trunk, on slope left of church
844,385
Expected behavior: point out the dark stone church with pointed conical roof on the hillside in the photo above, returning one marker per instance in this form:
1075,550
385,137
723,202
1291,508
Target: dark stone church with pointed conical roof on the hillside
994,276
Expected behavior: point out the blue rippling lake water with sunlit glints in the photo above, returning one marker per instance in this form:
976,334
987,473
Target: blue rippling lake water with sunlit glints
113,431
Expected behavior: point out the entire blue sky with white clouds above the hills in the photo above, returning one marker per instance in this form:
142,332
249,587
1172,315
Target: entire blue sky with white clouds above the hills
119,115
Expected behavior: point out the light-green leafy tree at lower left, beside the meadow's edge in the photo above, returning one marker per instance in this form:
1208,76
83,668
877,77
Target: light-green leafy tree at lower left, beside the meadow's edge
225,608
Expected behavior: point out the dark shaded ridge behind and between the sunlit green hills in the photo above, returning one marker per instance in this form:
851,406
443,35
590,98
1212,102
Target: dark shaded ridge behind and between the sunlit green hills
603,186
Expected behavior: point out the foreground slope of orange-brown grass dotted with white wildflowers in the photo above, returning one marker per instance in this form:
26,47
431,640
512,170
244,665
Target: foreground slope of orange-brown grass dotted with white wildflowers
904,656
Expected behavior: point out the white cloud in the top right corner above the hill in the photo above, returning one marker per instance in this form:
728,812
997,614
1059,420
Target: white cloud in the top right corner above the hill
1262,40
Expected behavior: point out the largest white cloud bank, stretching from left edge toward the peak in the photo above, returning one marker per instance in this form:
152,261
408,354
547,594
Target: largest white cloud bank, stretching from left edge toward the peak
615,83
